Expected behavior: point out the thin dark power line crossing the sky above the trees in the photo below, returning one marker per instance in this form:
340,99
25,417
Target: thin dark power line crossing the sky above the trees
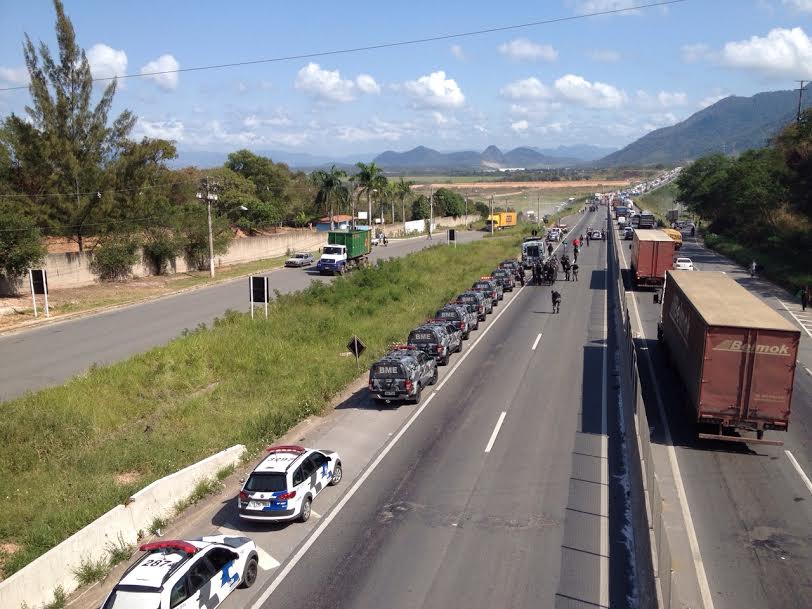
385,45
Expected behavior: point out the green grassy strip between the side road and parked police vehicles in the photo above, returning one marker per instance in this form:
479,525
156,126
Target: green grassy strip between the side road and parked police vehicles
70,453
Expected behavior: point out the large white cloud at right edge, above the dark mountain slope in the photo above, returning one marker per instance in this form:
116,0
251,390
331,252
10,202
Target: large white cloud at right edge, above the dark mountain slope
781,54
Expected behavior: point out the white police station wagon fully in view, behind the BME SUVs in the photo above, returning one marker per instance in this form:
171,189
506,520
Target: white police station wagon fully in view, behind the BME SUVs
284,485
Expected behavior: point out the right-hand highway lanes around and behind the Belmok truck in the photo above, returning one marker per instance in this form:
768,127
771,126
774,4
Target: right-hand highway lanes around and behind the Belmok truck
750,505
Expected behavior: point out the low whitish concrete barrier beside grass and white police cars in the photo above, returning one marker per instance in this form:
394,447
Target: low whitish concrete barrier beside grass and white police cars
34,585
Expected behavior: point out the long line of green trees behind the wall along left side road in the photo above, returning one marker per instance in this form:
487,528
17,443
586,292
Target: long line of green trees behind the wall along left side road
69,169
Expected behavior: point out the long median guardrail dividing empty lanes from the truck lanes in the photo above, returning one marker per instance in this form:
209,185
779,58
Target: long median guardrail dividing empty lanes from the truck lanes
650,499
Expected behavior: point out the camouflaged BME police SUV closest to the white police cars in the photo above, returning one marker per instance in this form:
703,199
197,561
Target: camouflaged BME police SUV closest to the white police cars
401,374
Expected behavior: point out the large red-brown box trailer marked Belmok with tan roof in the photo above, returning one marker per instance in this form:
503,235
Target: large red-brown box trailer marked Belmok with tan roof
735,355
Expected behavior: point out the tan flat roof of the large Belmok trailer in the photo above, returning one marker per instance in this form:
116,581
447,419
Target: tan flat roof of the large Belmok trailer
721,301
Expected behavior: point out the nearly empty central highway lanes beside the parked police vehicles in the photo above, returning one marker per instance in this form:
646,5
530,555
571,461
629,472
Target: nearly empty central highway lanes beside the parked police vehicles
494,492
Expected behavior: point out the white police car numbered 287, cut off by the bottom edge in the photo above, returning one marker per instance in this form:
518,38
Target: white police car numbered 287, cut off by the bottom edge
178,574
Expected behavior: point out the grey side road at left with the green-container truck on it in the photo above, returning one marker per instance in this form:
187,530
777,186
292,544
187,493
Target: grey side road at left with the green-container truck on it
50,354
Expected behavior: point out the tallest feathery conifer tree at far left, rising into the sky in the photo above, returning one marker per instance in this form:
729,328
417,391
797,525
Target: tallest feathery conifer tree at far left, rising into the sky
65,153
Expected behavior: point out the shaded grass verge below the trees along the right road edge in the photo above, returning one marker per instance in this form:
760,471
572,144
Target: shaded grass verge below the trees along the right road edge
791,272
